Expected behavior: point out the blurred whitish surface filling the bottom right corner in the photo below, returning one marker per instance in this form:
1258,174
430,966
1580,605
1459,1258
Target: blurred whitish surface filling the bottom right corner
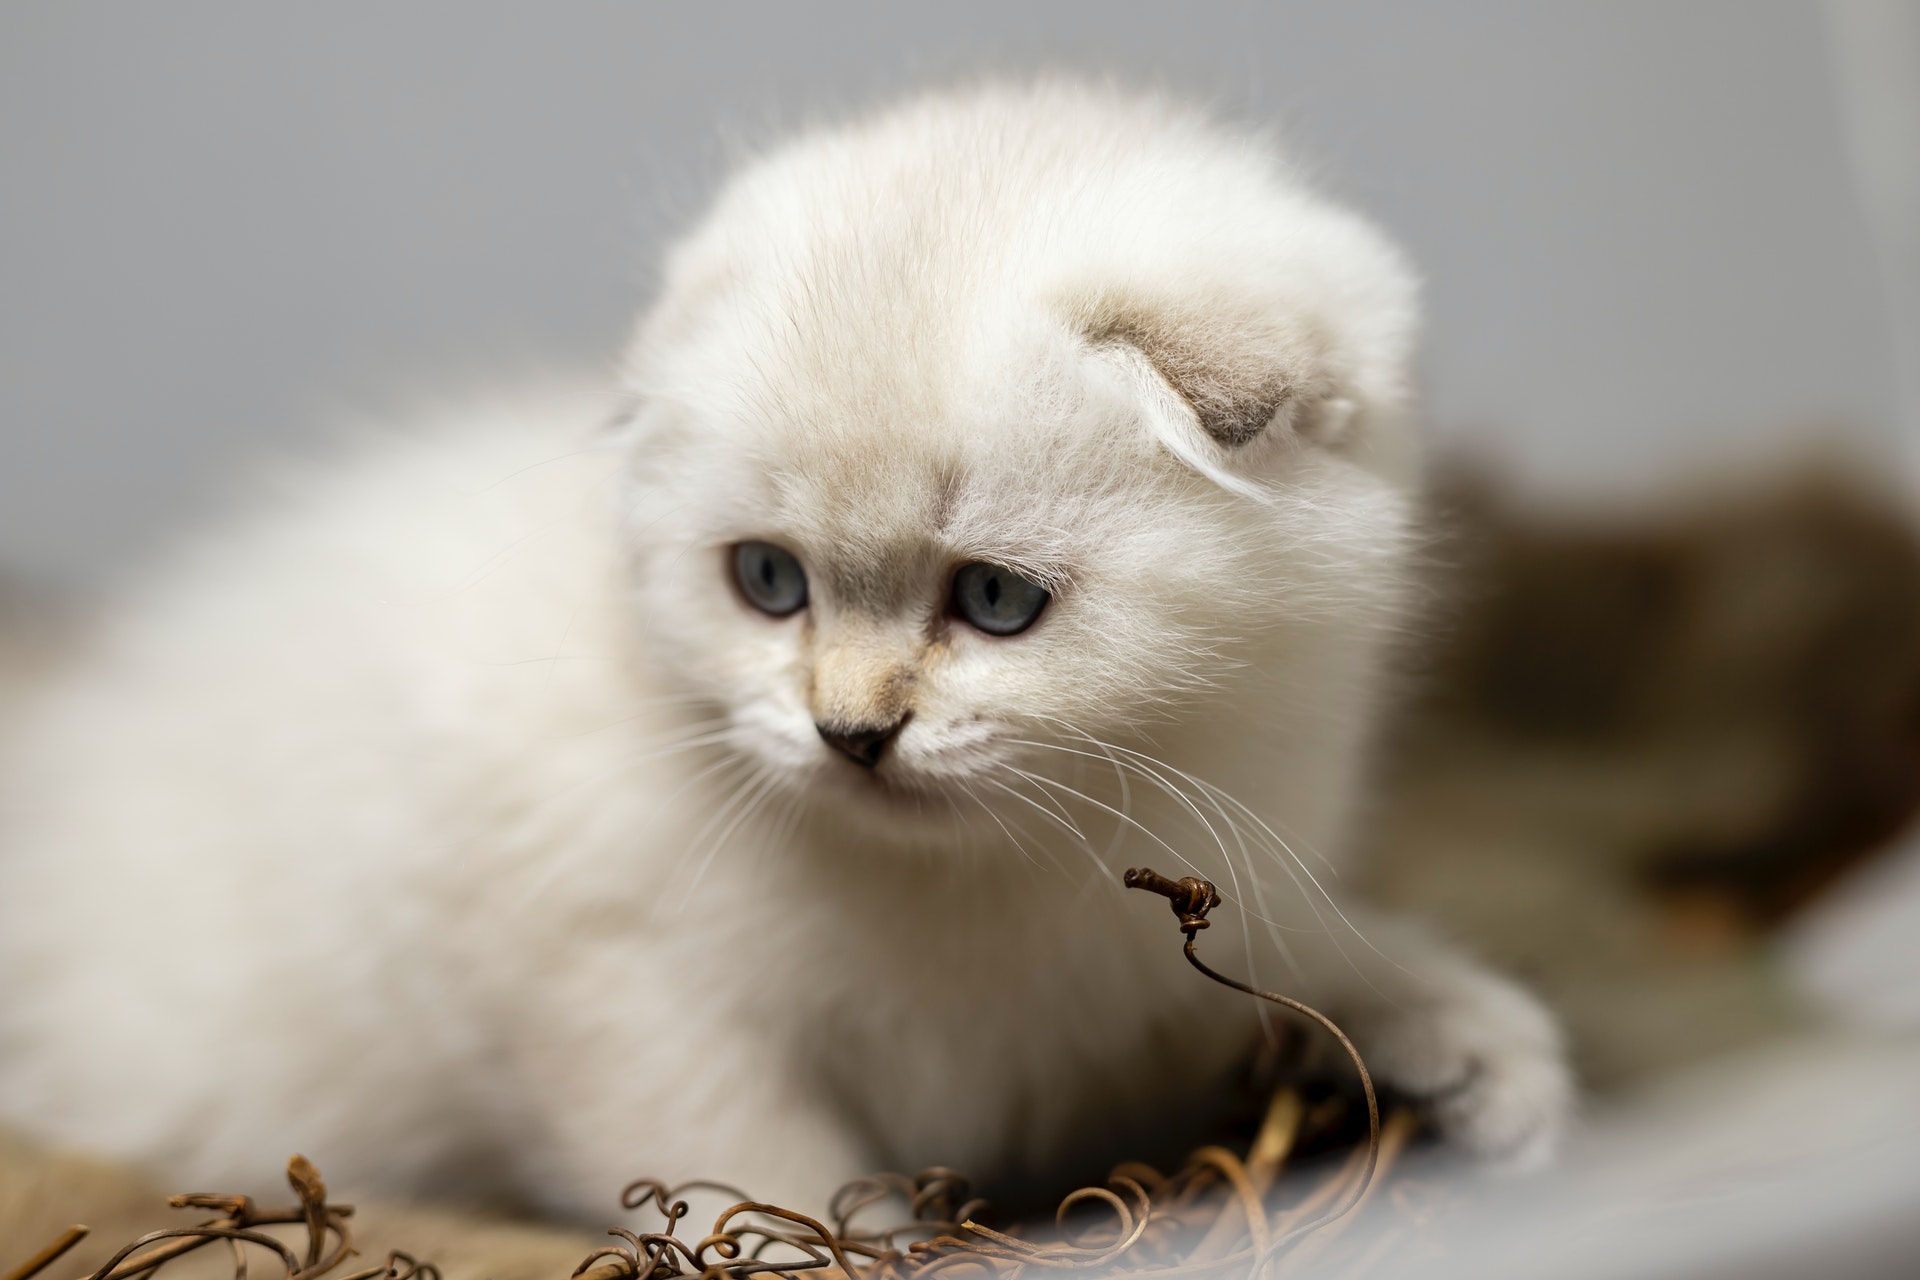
1804,1162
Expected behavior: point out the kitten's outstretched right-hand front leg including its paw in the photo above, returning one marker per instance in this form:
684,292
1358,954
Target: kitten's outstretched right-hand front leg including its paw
1479,1049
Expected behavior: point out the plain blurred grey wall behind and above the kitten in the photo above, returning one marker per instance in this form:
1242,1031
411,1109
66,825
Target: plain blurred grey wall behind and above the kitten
228,227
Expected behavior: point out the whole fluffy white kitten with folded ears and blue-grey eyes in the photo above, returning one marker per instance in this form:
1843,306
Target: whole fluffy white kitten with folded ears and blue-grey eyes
1011,479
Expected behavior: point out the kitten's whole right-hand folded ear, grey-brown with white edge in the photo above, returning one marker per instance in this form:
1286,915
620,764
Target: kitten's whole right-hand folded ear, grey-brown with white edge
1224,389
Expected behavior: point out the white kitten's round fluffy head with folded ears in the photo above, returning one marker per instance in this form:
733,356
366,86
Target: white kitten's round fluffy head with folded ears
1011,421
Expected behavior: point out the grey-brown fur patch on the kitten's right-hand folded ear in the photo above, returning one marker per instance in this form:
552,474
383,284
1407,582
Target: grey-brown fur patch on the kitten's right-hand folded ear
1234,391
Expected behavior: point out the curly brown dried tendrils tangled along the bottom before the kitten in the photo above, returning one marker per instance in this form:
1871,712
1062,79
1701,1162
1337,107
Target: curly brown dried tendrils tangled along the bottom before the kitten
1207,1220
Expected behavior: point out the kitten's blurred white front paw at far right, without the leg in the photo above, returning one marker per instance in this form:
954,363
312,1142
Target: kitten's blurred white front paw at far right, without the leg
1491,1064
